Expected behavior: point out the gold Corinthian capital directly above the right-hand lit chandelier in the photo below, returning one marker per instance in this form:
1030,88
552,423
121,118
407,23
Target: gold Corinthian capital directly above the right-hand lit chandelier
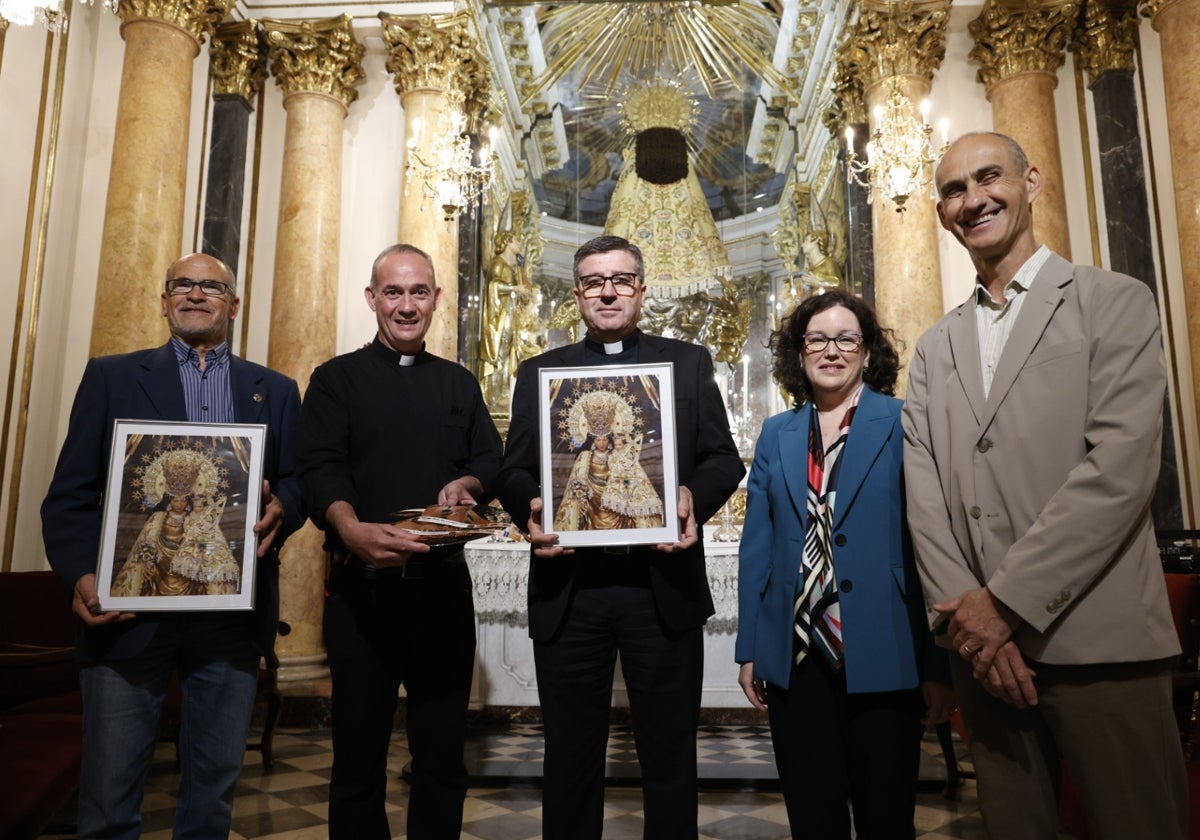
886,41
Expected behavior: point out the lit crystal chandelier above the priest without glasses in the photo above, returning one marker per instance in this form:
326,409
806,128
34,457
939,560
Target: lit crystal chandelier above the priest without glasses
448,169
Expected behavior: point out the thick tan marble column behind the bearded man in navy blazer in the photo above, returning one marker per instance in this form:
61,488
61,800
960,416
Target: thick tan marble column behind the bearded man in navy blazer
145,211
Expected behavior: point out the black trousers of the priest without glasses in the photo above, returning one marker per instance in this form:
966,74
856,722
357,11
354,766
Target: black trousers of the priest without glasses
382,633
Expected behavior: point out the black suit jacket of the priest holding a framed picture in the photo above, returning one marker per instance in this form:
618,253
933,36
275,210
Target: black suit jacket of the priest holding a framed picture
709,463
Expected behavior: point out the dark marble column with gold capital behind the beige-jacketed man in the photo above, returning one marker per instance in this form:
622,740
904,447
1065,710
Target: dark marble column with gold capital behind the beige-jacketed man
1106,51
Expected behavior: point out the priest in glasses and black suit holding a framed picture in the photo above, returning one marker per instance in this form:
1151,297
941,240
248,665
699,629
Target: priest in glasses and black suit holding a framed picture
646,603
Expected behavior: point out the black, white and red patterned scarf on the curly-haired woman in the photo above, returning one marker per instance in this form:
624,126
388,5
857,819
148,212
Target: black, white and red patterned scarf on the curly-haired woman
818,615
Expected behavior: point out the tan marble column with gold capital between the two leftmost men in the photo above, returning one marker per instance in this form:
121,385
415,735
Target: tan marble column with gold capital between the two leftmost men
316,64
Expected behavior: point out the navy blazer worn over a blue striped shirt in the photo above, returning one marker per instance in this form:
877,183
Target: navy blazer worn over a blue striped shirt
146,386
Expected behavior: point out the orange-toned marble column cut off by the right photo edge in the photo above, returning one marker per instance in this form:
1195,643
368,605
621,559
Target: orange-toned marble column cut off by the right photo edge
1178,23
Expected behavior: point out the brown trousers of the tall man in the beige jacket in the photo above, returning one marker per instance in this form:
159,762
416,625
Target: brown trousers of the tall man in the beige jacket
1113,725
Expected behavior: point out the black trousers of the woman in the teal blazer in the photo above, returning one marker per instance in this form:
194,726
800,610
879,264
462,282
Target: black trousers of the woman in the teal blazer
832,747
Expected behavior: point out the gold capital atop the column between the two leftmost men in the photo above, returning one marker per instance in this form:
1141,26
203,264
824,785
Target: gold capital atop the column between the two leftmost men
319,57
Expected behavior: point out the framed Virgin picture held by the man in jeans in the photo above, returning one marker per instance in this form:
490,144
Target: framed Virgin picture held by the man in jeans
181,508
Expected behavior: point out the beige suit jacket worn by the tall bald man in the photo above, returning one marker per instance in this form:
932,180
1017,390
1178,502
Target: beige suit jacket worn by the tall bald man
1042,490
